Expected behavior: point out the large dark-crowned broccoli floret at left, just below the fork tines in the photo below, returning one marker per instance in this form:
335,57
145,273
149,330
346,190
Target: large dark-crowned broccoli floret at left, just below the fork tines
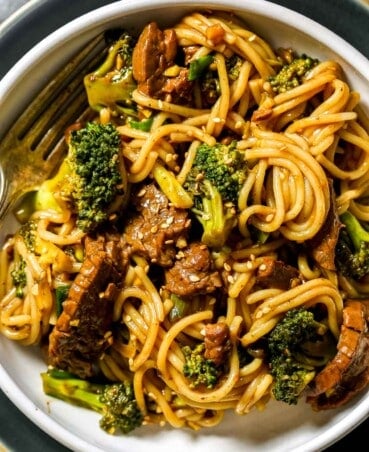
91,179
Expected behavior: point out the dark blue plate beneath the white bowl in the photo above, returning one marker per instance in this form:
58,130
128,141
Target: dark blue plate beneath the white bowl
347,18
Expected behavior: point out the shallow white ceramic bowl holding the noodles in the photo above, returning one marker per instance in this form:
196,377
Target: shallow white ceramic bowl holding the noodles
279,428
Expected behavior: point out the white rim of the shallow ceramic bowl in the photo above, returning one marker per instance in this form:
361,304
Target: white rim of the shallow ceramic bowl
99,17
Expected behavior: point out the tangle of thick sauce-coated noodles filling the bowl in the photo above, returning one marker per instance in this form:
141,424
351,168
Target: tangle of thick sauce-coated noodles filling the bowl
292,153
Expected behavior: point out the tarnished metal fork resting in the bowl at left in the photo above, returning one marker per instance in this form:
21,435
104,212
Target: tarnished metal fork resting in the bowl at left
34,145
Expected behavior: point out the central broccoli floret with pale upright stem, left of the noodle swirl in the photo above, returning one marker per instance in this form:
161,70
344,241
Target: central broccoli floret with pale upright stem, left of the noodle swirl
214,182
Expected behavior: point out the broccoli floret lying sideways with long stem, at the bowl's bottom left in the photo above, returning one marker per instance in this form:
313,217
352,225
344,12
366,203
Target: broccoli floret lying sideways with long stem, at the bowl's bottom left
114,401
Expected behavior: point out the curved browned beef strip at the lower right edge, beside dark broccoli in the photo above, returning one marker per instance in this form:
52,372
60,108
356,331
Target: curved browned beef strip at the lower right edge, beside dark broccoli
348,372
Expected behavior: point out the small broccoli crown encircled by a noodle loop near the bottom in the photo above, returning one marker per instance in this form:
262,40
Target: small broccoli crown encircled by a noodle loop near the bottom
200,370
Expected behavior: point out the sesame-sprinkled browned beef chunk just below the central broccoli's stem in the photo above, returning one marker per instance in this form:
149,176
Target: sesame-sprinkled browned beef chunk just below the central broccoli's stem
193,273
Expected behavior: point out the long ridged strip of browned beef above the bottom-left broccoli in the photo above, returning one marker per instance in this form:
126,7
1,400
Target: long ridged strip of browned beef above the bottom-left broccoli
82,331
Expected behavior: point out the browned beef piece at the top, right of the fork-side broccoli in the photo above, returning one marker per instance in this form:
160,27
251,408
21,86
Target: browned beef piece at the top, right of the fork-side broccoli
155,52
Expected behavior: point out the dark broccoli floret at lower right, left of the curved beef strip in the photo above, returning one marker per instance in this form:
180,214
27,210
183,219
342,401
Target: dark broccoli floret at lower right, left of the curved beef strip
297,347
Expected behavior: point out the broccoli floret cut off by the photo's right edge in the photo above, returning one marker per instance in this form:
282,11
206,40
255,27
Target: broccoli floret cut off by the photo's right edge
352,249
